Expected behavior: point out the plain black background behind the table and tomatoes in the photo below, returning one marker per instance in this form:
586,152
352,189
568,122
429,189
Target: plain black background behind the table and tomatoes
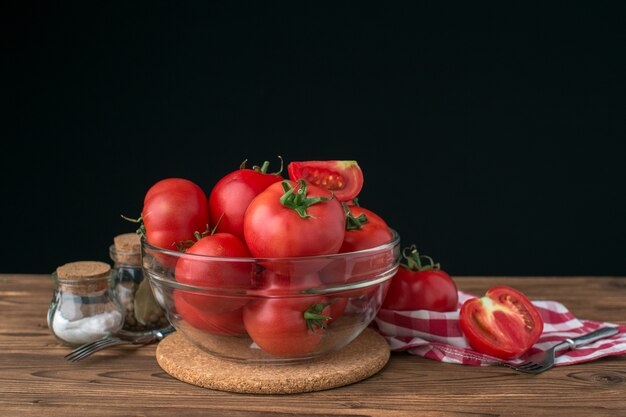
494,139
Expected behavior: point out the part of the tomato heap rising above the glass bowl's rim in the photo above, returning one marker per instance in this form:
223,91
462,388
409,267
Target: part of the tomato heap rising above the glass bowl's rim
304,215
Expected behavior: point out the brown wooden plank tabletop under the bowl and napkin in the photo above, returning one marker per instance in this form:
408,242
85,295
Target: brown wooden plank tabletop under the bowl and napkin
35,380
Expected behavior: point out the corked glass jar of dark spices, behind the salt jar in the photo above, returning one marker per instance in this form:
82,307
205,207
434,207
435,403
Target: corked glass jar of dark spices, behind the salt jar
142,312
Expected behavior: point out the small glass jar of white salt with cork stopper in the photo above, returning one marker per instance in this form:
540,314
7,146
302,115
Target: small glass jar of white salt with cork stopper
84,307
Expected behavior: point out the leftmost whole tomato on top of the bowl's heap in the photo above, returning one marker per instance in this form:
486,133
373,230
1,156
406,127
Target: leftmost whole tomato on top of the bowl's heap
173,210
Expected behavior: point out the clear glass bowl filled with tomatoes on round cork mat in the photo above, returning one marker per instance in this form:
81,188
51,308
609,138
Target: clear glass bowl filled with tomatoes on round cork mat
268,310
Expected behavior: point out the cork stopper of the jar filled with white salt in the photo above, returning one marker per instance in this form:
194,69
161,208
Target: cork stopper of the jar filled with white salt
84,277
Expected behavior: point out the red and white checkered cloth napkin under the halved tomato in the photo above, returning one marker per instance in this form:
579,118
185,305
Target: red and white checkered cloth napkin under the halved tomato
437,336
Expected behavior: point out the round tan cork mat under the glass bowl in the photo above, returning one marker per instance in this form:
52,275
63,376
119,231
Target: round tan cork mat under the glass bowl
362,358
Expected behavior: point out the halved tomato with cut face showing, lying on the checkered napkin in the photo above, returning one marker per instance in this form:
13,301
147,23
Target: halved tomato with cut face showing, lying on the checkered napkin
503,323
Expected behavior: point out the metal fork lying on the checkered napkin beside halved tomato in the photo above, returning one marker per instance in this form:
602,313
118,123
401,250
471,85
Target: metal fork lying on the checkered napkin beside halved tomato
543,361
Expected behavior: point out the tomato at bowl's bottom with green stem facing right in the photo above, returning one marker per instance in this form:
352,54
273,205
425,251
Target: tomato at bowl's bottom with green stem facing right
290,326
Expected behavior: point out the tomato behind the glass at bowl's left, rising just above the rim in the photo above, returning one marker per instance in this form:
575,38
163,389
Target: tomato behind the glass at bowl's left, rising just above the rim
212,273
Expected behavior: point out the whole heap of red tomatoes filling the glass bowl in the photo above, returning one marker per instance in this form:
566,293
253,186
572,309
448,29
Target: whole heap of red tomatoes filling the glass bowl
253,213
